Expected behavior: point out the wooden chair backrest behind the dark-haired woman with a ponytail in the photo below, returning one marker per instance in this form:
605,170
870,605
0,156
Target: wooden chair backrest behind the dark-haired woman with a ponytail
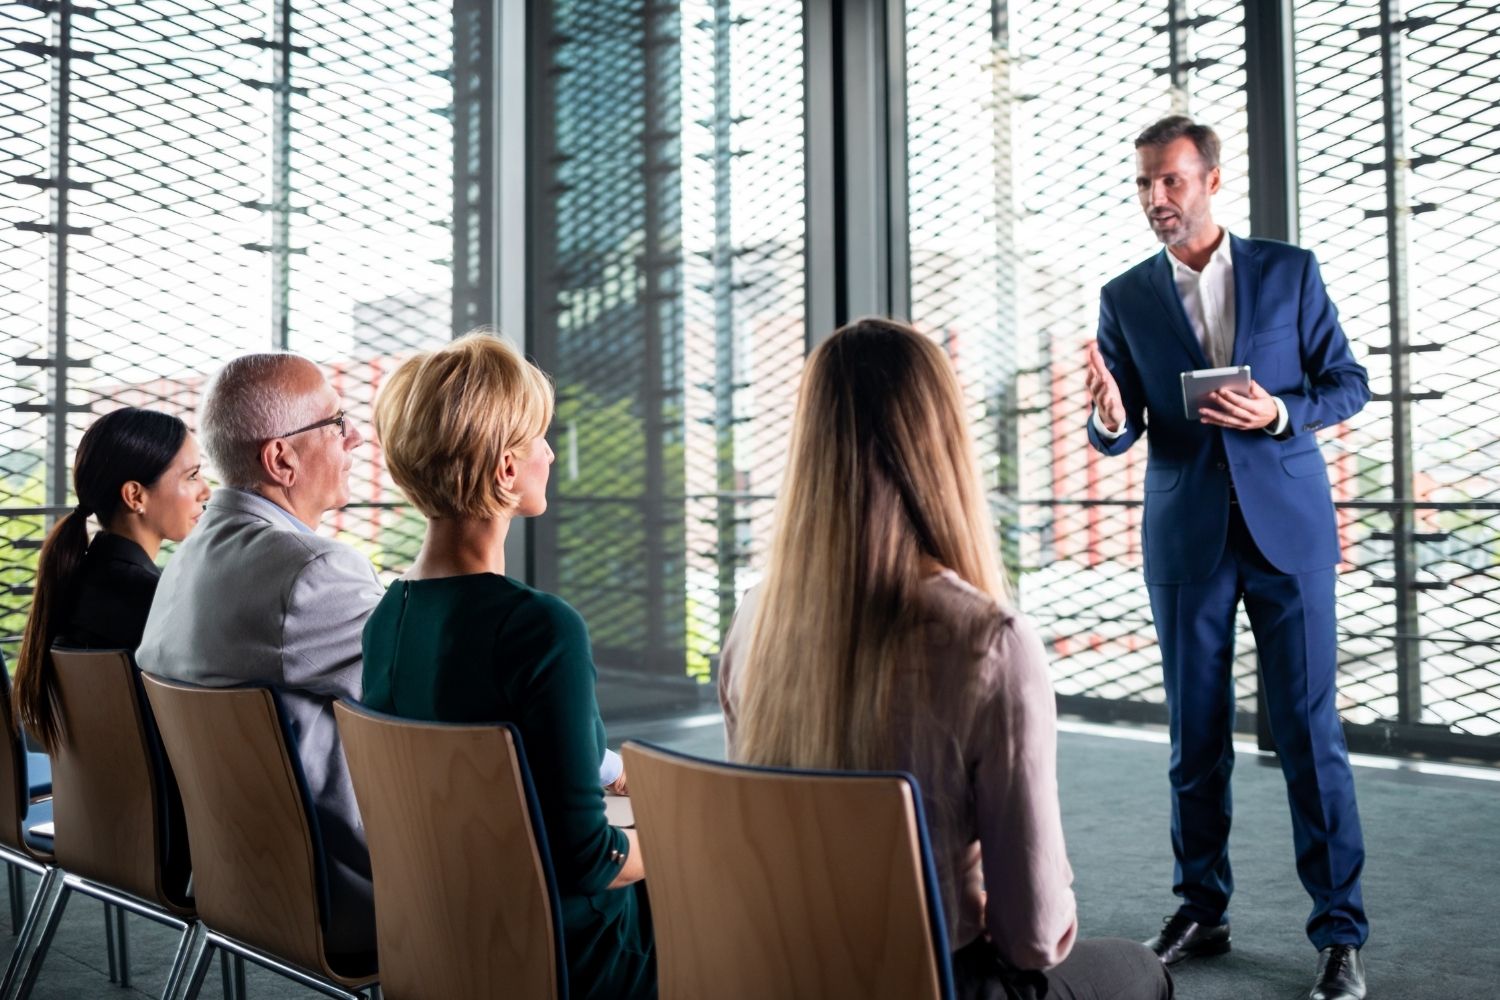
109,803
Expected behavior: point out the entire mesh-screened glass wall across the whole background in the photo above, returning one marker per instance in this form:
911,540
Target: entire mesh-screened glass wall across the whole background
182,185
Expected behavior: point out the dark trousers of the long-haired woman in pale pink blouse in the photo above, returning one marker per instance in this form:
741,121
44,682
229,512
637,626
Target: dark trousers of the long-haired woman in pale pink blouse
1102,969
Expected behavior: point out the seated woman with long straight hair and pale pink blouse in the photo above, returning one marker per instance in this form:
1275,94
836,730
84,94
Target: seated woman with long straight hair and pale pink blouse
883,638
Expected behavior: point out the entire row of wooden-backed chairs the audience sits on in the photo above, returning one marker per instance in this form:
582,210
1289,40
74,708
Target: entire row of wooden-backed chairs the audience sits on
763,882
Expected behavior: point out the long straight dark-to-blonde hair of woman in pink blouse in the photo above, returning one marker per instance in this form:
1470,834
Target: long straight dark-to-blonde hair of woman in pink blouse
881,476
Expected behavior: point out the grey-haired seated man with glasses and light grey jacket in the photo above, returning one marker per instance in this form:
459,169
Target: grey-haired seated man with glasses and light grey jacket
256,596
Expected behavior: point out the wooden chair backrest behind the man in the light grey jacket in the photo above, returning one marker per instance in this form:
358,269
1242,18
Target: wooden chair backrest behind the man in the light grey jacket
257,873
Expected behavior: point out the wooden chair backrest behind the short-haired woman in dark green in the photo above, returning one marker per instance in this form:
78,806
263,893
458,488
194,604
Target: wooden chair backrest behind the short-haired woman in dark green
464,888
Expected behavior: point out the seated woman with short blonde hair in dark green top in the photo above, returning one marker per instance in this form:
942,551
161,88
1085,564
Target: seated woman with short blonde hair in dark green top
458,641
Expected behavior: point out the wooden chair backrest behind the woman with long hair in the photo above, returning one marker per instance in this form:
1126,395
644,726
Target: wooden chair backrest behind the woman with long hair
787,884
